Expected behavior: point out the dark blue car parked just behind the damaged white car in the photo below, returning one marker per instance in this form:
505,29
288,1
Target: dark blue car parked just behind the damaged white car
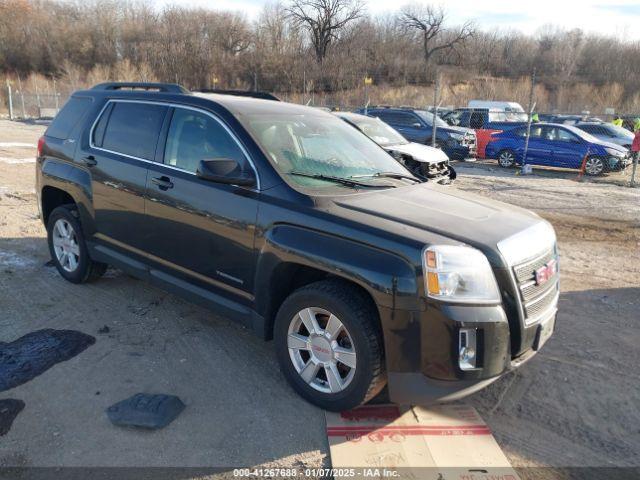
417,126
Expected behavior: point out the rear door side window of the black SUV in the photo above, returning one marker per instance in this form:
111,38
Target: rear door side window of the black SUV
133,129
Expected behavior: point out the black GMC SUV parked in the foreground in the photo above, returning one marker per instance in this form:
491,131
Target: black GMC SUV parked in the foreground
302,228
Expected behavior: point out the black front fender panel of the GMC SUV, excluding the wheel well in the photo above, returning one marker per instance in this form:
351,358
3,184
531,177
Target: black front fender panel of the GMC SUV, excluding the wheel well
387,277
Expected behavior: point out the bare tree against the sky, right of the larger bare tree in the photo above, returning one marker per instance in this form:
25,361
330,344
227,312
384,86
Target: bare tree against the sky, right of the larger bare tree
430,21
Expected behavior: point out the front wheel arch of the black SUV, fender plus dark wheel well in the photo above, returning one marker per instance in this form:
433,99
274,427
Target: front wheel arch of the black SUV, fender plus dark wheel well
293,257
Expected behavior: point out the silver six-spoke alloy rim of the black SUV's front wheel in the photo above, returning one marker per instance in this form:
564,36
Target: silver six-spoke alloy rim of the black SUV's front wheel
321,350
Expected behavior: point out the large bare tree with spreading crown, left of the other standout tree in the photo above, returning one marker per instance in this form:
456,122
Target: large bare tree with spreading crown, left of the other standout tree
324,19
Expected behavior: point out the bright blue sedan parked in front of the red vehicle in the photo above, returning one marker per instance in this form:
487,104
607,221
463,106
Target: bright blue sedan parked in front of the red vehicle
557,145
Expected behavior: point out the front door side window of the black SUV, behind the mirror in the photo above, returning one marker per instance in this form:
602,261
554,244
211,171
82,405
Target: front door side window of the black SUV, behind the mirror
194,136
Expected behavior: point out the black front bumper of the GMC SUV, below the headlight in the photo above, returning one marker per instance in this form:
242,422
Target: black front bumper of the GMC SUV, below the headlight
422,351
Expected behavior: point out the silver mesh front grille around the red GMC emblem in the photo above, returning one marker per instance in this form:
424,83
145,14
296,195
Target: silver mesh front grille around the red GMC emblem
536,298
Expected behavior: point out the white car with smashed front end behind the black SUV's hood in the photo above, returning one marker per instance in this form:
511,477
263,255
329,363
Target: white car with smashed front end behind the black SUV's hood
423,161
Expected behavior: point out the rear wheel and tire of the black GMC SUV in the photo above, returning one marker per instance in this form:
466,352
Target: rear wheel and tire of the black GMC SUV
64,236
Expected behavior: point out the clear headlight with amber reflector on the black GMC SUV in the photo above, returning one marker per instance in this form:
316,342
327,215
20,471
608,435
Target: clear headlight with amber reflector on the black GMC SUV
459,274
